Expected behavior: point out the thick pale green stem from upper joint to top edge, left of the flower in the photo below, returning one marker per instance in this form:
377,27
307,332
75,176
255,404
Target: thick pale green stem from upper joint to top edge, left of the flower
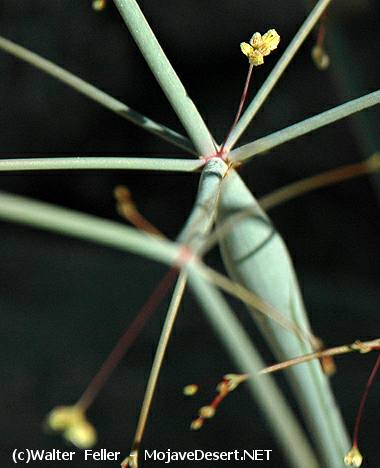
166,76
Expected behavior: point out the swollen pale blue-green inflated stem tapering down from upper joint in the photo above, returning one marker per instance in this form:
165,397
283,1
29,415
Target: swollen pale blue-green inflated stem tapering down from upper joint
256,257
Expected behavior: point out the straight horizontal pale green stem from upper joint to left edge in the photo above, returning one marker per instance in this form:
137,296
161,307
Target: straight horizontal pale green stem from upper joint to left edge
103,162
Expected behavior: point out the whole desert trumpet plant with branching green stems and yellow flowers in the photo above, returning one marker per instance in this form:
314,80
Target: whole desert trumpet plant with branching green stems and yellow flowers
254,254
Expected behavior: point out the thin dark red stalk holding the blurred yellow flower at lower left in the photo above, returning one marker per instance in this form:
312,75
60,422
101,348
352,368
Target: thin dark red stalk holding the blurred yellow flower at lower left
127,339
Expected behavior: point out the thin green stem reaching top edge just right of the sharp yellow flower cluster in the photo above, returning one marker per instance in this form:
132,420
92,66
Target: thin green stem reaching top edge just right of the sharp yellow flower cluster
276,73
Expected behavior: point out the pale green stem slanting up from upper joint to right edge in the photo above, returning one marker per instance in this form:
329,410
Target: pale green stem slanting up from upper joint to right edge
268,142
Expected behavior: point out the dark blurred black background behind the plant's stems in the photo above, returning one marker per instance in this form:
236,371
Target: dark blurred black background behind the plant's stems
65,302
